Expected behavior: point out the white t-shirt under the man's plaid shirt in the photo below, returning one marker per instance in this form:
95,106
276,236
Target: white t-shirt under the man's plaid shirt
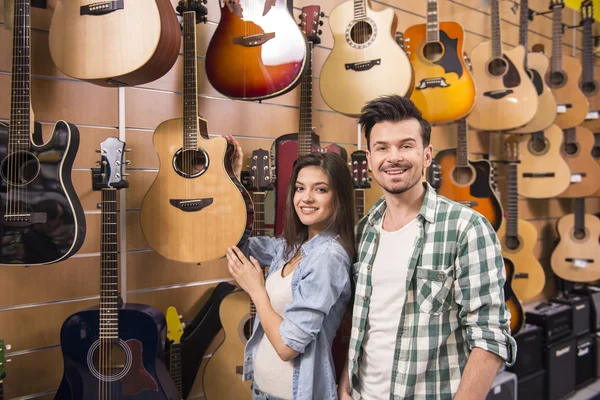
388,279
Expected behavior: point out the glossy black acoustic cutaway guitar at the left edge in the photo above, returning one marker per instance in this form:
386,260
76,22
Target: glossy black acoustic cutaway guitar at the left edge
41,218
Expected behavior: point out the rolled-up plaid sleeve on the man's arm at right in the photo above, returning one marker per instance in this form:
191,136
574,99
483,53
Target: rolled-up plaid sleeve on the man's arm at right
479,291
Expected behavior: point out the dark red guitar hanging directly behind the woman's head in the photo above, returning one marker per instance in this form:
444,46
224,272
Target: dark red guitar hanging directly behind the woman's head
288,148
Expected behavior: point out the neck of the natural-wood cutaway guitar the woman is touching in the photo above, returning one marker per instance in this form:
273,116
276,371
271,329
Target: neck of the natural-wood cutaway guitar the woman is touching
190,90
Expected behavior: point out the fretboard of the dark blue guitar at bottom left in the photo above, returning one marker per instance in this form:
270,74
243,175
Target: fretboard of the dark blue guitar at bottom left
109,268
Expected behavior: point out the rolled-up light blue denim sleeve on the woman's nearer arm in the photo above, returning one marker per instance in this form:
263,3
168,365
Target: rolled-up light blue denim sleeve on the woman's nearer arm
325,278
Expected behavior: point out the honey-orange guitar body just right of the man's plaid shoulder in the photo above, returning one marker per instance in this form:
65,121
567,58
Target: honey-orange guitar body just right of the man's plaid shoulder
529,279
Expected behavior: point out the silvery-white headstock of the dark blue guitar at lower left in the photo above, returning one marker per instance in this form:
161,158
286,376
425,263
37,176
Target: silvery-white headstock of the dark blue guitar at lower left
111,173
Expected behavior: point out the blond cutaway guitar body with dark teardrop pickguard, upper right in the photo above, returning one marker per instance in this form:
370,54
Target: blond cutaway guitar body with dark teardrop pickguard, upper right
512,93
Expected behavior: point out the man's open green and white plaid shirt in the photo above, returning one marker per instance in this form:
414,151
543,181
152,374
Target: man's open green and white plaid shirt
454,299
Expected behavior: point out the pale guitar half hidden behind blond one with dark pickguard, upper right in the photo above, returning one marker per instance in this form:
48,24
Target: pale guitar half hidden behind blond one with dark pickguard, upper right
536,66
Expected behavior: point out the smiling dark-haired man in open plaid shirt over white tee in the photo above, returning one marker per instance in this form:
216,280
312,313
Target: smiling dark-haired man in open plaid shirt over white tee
429,318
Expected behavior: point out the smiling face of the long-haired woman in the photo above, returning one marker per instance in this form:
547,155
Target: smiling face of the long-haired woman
313,198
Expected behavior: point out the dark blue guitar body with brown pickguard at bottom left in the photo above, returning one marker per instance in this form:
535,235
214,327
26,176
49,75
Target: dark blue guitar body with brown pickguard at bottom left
141,335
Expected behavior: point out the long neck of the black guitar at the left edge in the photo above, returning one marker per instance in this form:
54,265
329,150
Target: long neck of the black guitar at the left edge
20,122
